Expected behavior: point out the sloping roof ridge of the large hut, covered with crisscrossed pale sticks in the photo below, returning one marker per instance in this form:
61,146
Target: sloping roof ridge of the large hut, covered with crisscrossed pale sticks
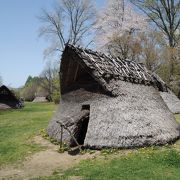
105,68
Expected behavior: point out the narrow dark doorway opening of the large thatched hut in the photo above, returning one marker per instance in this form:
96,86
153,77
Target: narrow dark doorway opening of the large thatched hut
82,126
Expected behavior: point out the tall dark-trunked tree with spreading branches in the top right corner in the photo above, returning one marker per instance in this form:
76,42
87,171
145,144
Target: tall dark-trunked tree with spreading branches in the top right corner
165,14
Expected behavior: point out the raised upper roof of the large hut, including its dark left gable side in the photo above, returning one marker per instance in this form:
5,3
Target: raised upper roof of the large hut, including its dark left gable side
103,69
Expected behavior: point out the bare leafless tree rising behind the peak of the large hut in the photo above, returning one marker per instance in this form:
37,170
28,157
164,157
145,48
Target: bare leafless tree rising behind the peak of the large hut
70,21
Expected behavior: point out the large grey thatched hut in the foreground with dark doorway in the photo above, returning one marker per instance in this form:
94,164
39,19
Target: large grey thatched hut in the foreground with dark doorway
107,102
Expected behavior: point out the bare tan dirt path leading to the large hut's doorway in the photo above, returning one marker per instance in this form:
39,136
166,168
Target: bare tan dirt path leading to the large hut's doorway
43,163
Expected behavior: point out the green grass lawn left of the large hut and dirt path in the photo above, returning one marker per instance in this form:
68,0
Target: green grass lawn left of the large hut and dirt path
17,127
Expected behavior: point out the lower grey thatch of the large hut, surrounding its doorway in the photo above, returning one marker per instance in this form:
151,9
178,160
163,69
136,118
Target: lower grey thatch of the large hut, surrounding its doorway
138,117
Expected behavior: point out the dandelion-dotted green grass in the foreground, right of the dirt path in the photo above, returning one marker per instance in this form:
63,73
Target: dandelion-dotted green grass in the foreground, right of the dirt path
155,163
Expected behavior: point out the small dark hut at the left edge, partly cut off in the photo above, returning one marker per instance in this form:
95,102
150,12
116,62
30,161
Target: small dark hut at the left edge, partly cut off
8,99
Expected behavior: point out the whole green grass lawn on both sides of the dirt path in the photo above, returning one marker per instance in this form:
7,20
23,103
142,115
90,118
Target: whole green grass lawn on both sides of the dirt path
18,127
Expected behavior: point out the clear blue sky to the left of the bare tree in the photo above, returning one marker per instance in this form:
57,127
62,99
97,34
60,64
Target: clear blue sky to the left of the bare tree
21,51
